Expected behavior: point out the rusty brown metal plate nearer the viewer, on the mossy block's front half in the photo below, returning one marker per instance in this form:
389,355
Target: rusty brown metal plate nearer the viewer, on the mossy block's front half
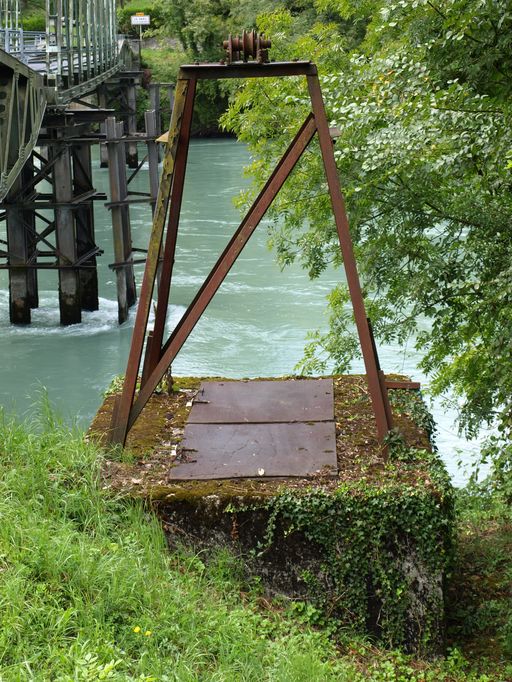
215,451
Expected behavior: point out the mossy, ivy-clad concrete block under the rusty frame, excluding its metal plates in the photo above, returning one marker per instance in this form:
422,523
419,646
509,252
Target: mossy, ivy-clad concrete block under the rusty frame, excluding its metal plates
249,518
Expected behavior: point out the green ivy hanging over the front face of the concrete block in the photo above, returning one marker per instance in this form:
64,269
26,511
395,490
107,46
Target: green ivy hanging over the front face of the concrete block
367,535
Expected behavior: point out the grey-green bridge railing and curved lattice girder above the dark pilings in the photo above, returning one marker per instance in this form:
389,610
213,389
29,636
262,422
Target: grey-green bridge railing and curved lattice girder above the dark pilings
77,52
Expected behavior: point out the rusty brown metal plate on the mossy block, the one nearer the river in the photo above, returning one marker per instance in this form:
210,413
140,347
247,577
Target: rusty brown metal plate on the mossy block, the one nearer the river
262,402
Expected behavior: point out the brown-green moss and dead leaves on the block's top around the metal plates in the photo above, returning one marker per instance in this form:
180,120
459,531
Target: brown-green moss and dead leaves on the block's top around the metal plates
153,444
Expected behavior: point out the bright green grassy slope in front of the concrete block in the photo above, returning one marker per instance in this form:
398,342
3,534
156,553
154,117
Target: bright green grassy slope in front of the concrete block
89,591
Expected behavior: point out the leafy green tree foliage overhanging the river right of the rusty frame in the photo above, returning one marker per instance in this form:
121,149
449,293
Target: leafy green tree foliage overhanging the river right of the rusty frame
421,93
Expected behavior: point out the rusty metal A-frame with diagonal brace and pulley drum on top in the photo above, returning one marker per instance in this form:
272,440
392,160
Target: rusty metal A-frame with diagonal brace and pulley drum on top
159,352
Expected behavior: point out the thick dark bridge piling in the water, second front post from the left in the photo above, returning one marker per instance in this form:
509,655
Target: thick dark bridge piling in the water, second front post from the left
69,279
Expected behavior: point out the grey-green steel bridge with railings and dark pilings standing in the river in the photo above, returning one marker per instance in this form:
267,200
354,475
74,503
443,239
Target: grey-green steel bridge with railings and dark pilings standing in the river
63,90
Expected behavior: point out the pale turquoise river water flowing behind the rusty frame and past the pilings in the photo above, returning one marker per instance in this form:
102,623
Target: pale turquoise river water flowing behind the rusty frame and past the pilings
255,326
